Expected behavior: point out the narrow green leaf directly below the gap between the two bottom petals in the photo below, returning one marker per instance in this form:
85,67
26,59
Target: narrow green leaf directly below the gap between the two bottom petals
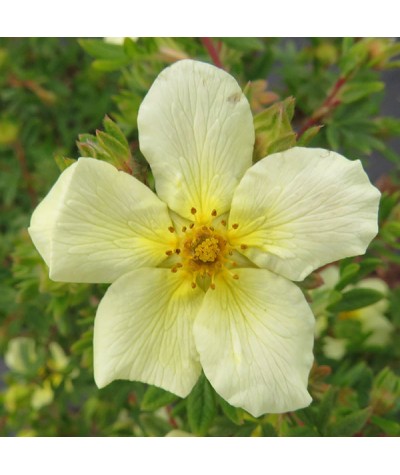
201,407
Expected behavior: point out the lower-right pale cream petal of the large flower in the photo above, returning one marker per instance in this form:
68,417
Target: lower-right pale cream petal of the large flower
255,337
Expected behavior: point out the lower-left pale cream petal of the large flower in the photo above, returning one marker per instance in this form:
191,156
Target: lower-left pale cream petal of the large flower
143,331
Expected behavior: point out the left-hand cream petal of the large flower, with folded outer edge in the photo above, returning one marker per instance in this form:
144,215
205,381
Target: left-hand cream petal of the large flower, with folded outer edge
97,223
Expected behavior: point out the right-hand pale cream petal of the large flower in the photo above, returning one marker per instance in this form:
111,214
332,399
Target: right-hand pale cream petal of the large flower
303,208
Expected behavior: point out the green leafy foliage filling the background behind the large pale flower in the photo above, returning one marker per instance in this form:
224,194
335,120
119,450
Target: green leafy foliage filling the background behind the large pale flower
329,94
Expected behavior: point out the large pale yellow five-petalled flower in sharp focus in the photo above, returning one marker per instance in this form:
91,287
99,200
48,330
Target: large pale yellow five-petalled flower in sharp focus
201,274
